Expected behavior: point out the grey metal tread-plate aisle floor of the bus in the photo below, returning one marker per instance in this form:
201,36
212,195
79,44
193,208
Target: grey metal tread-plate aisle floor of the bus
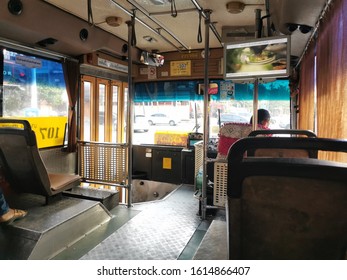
168,229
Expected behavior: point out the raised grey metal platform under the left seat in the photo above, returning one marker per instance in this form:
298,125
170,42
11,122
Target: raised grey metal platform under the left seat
49,229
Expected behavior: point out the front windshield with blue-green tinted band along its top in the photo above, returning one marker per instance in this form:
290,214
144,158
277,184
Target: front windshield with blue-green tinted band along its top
172,109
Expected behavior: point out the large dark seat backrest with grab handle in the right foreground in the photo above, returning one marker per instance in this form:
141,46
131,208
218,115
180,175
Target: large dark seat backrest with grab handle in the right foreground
286,208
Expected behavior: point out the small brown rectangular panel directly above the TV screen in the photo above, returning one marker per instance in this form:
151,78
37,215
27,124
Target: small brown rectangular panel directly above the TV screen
237,33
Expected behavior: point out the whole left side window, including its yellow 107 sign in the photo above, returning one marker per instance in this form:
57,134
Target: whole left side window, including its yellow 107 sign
34,89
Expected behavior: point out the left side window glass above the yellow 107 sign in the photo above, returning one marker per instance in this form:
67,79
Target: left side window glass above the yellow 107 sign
33,86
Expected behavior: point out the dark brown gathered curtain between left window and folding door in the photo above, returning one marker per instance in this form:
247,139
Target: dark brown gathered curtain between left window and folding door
71,75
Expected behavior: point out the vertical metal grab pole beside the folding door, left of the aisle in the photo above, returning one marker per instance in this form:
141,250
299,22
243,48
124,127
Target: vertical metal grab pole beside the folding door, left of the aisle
130,111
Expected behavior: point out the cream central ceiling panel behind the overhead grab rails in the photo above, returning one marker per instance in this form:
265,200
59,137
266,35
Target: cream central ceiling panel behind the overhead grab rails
179,24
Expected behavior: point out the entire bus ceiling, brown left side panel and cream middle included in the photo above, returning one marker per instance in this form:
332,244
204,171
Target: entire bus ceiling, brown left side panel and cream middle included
79,27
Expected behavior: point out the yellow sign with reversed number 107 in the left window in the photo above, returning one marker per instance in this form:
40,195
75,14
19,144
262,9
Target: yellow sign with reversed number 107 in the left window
49,131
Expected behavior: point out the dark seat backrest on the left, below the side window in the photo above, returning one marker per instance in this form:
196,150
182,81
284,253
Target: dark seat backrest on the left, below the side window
21,160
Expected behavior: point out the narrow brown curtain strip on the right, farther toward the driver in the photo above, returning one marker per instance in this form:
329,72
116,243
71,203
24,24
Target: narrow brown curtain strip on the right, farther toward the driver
306,90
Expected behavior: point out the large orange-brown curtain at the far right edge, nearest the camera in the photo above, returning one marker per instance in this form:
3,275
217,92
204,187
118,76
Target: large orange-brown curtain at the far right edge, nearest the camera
332,75
